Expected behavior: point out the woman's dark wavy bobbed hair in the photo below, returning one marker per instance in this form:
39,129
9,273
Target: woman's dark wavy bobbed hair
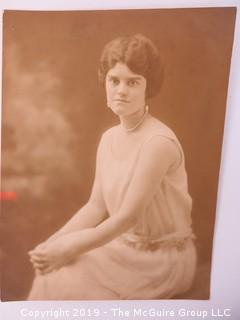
139,54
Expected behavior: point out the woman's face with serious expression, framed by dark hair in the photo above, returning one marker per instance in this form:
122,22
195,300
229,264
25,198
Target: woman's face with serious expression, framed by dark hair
125,90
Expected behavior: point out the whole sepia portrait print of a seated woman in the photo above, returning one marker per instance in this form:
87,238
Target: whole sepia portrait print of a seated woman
112,133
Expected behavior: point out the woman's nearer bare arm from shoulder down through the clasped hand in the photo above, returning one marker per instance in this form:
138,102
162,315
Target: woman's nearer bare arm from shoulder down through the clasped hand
156,158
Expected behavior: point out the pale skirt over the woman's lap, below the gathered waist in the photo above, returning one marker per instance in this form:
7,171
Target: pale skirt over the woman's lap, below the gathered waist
116,271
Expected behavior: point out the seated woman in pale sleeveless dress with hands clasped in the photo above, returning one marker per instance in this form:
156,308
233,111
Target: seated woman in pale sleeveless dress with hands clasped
133,238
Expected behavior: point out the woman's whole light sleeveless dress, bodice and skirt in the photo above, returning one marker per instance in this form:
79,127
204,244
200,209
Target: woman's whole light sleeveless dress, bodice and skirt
154,260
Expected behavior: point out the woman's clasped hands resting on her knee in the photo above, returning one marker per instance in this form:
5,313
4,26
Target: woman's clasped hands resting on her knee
51,255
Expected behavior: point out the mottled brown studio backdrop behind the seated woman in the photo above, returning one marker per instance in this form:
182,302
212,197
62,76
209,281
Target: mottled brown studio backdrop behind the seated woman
54,112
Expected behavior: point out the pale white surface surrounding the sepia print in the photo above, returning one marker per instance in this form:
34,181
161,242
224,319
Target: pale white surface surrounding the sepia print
226,259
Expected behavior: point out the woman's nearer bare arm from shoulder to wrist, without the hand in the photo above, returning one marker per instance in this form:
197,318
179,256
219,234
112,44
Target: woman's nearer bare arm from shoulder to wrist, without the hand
156,158
